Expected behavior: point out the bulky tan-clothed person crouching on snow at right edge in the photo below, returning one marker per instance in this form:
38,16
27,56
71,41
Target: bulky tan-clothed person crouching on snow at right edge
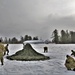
70,63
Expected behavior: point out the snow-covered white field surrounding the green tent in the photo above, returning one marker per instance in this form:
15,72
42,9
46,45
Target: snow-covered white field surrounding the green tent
54,66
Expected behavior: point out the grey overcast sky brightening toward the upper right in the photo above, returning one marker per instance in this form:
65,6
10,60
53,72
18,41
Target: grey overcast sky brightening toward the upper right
36,17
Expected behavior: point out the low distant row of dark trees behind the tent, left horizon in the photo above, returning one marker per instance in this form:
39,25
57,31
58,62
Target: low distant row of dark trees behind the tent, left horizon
16,41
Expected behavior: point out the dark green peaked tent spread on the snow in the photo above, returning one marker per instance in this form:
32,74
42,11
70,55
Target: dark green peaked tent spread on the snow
27,54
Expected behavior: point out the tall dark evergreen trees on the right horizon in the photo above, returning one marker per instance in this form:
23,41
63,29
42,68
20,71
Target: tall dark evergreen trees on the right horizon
65,37
